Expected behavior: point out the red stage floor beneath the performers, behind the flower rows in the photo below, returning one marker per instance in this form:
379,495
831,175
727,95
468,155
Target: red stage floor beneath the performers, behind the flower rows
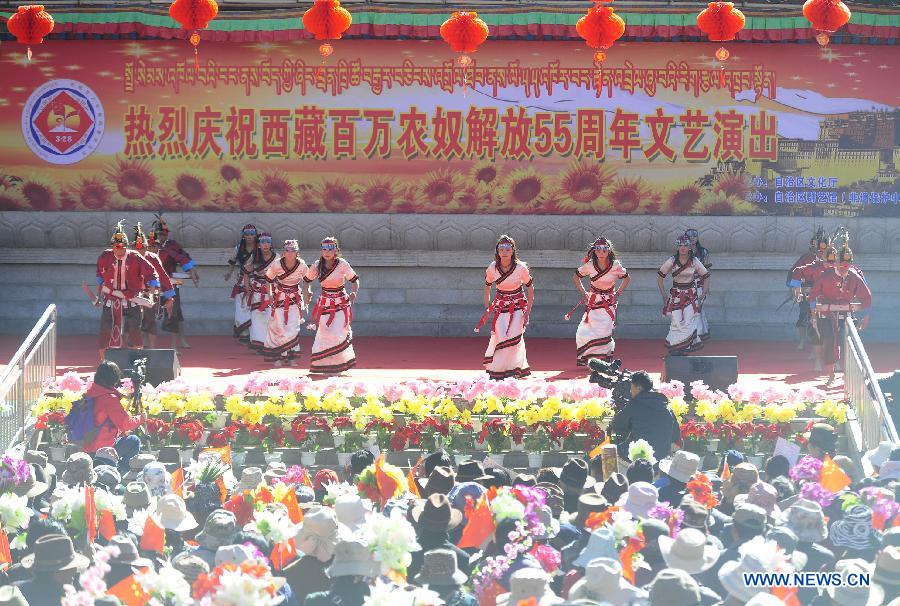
221,359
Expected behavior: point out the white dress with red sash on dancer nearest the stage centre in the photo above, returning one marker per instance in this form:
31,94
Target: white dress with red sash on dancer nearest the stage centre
505,355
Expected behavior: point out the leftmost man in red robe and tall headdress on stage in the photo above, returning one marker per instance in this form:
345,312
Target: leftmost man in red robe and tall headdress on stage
122,275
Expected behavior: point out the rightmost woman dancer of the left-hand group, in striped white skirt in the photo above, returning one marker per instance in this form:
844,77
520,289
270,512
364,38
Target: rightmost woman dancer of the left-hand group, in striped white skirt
332,351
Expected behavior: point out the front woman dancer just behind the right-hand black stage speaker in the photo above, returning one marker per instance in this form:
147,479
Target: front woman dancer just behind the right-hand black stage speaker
682,305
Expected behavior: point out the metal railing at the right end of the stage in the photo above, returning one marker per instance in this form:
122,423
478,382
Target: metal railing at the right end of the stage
864,394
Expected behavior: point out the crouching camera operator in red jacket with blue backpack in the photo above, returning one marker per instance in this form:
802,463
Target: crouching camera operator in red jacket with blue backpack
111,420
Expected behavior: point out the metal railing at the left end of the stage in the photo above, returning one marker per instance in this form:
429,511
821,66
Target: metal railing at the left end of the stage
21,381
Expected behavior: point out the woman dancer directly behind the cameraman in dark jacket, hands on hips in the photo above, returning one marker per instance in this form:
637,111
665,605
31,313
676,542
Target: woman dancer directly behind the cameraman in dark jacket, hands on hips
594,338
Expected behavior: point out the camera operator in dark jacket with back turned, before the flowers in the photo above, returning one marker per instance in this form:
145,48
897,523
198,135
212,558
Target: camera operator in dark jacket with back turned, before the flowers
646,416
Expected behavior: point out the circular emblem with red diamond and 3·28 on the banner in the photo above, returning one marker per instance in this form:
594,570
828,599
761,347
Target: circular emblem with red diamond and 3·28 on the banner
63,121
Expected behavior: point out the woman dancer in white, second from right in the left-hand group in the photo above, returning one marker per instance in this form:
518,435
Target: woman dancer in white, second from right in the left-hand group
289,301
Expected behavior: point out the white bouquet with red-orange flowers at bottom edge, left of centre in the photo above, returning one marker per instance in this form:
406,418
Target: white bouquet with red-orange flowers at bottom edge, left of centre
248,584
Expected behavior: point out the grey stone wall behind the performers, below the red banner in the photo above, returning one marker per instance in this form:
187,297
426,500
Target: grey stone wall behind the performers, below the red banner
423,274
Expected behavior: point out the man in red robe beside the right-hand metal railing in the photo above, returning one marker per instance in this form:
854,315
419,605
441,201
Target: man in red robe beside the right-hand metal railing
842,286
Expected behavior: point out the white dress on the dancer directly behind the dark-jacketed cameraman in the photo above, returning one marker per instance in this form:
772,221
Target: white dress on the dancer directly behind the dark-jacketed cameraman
594,337
